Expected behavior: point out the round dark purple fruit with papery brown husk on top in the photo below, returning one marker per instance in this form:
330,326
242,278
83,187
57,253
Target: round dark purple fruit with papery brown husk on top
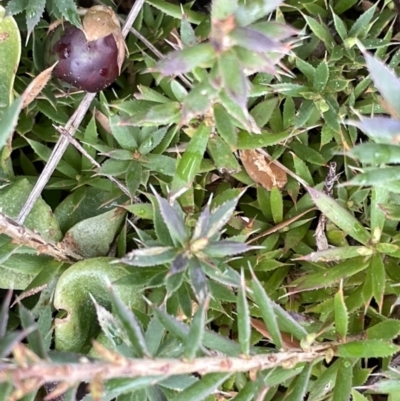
89,58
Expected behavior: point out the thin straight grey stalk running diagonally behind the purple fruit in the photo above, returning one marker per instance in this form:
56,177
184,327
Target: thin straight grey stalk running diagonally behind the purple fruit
71,127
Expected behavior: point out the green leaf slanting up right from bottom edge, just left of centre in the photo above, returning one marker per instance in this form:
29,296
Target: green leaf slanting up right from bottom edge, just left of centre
202,388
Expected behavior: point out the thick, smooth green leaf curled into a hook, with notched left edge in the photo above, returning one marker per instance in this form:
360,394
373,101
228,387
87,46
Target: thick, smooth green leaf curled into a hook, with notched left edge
72,294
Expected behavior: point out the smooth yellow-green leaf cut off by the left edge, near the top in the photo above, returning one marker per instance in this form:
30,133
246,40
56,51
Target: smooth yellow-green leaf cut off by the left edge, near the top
10,53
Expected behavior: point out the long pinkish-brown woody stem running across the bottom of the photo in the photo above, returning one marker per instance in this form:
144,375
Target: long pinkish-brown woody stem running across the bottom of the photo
118,366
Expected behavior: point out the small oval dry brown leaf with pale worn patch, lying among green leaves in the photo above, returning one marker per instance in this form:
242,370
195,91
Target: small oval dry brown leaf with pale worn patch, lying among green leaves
261,170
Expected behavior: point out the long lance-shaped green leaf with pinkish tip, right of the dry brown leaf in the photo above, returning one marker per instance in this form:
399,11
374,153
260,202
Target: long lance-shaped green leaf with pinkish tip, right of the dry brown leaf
339,216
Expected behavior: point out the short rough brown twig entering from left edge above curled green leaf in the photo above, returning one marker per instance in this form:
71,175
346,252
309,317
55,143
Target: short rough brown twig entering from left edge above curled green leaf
26,237
